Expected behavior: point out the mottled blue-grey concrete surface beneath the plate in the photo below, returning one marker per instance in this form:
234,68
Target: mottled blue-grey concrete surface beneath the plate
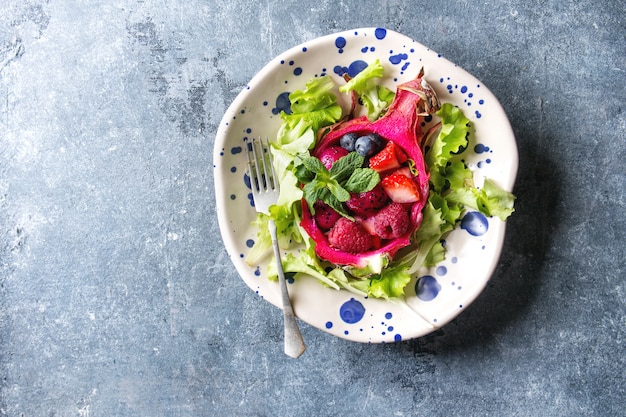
117,297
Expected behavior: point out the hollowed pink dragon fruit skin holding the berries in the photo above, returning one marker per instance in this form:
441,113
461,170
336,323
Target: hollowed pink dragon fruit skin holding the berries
402,125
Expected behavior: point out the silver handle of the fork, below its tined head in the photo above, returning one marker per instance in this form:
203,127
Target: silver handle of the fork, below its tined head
294,345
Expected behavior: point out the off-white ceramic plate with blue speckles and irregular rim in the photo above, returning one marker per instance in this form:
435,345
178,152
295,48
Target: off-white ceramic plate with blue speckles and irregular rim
435,295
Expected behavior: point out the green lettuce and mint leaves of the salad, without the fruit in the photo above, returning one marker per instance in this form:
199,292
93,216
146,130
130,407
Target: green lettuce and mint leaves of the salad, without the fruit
451,182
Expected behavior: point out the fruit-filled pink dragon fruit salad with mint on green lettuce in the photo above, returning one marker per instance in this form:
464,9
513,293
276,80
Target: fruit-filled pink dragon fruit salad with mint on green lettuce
366,197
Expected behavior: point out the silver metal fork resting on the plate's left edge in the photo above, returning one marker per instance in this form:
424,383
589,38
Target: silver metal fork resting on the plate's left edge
265,191
